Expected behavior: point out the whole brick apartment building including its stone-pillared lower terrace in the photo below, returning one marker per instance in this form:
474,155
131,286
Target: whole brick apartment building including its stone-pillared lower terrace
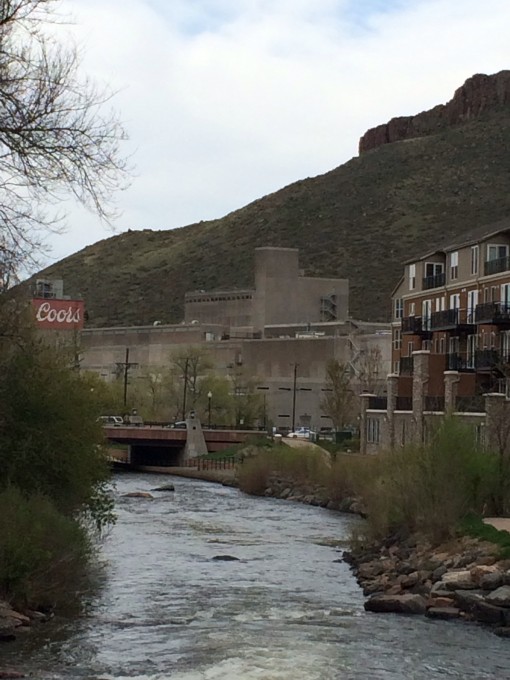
450,341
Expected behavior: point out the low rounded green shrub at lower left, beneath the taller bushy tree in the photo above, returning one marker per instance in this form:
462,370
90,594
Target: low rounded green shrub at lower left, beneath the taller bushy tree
43,554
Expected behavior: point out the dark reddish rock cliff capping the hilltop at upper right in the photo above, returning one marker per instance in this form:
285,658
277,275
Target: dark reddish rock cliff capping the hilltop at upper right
479,94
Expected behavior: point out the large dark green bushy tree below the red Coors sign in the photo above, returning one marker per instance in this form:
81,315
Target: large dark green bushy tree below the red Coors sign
50,442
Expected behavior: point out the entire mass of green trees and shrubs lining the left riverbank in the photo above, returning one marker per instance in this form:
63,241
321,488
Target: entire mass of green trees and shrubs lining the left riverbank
53,474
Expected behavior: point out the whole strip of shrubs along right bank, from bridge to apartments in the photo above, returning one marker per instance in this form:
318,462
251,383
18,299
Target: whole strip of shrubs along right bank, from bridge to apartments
429,489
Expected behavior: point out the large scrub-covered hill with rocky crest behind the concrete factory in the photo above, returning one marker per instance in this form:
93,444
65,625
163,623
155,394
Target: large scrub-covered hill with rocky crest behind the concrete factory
444,173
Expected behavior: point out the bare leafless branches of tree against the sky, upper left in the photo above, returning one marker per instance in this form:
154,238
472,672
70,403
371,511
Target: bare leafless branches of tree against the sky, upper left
56,137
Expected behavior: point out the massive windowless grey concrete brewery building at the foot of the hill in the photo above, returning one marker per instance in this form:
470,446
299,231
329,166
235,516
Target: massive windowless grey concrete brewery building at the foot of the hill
281,332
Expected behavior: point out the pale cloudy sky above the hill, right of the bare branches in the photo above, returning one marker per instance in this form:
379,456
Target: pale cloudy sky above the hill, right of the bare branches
226,101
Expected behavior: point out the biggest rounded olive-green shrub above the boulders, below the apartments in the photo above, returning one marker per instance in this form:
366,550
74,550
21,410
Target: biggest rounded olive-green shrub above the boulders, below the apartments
427,488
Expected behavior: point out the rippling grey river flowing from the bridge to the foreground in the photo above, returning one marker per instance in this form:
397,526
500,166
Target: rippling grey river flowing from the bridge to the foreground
286,609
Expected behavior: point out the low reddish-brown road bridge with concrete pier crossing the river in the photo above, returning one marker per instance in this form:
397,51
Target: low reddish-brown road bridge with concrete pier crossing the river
156,445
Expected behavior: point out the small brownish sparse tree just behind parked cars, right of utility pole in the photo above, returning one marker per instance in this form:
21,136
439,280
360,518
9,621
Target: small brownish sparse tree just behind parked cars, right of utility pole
339,402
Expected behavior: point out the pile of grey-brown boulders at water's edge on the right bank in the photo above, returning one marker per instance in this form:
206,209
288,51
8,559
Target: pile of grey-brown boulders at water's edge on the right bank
461,579
